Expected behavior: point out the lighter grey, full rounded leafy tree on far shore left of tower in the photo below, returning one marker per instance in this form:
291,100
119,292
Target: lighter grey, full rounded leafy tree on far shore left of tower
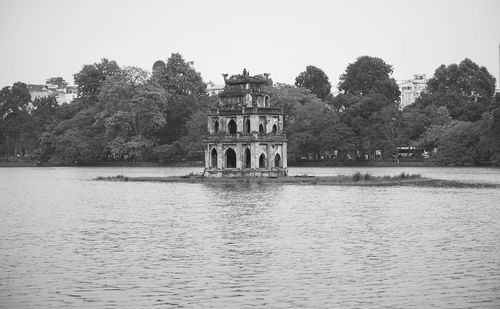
133,108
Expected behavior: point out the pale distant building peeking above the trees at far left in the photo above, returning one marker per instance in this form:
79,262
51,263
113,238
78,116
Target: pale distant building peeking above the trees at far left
55,86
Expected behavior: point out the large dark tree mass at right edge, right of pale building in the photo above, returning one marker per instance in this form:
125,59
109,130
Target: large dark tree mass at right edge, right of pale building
457,116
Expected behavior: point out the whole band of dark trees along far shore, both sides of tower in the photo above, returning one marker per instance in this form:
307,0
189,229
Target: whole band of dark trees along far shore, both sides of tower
128,114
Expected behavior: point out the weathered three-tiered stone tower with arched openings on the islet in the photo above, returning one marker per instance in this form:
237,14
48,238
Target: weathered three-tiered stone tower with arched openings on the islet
246,137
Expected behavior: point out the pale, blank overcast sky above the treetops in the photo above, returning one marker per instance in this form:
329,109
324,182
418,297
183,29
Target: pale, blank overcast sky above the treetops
42,39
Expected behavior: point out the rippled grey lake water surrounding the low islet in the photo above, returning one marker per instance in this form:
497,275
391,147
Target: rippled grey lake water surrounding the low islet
69,242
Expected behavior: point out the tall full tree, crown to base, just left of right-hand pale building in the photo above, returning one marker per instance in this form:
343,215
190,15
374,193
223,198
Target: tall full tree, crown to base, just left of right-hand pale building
368,105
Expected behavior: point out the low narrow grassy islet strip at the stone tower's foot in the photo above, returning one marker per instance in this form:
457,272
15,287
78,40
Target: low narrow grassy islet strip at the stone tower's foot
341,180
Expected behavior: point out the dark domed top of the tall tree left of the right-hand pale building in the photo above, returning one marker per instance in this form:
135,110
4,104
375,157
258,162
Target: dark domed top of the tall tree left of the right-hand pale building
369,74
